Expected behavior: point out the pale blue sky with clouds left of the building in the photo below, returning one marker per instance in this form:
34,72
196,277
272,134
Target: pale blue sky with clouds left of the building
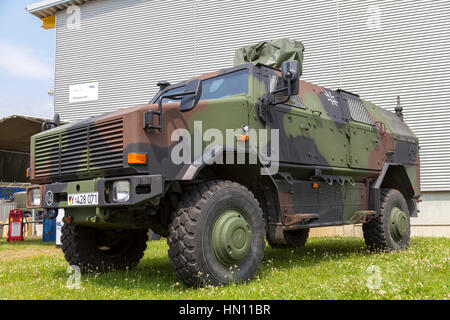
26,62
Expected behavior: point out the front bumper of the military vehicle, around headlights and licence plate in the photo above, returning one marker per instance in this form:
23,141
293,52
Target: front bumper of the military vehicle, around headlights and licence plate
55,195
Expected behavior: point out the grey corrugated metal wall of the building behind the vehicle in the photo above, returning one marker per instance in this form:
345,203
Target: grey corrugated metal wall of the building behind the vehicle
378,49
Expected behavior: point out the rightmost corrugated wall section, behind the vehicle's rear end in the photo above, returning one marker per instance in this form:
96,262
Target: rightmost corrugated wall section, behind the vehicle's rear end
408,55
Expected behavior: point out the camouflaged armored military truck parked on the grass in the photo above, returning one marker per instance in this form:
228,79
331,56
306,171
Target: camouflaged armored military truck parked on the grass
330,158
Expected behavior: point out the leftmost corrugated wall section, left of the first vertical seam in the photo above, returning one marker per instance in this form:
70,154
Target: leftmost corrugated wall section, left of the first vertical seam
126,46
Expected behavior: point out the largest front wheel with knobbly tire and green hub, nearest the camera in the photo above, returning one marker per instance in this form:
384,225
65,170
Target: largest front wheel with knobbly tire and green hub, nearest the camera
217,235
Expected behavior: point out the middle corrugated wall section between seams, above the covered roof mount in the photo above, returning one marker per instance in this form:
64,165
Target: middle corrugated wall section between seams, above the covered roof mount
224,26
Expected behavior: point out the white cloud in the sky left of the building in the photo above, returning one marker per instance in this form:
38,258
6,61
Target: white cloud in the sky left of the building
23,62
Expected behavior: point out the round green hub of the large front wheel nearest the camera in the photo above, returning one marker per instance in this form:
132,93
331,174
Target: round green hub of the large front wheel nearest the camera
231,238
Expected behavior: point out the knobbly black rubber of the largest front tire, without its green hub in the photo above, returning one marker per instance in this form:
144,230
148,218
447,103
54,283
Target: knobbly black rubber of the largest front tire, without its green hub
190,234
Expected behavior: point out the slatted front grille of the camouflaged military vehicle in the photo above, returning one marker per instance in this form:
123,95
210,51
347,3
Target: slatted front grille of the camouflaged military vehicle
93,147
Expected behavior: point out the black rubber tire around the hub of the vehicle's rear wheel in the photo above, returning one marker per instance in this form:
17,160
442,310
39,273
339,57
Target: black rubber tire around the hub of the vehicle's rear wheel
377,233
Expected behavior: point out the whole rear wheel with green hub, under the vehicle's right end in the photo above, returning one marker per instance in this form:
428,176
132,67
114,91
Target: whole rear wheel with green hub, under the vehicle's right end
391,230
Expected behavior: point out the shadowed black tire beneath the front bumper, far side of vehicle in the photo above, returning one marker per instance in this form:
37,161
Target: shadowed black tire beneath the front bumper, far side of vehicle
80,247
